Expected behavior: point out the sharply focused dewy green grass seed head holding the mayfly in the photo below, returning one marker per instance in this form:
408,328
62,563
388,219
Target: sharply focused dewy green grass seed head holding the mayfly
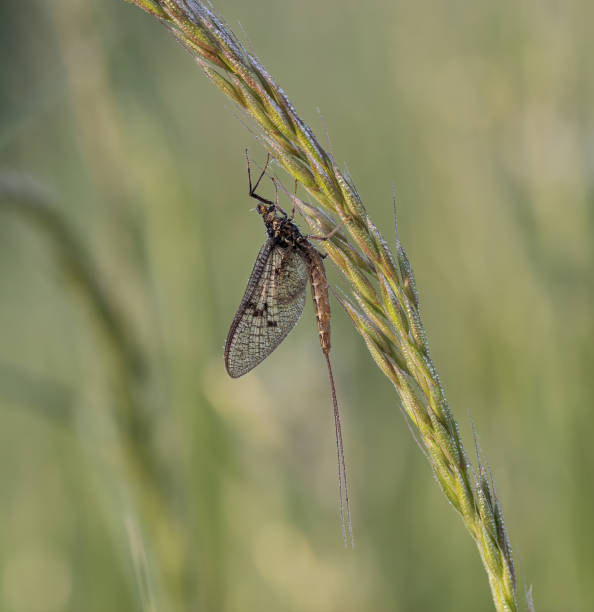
385,310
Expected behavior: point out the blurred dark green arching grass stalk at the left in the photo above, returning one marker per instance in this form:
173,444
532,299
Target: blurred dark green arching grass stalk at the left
125,357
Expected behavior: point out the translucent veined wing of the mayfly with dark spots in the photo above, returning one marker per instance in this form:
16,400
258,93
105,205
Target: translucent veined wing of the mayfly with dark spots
270,308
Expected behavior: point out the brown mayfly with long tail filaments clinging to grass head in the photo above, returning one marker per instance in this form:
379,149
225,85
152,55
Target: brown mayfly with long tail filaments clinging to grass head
273,302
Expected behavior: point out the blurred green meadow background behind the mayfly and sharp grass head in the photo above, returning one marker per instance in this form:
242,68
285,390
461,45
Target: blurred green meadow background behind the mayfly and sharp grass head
135,474
